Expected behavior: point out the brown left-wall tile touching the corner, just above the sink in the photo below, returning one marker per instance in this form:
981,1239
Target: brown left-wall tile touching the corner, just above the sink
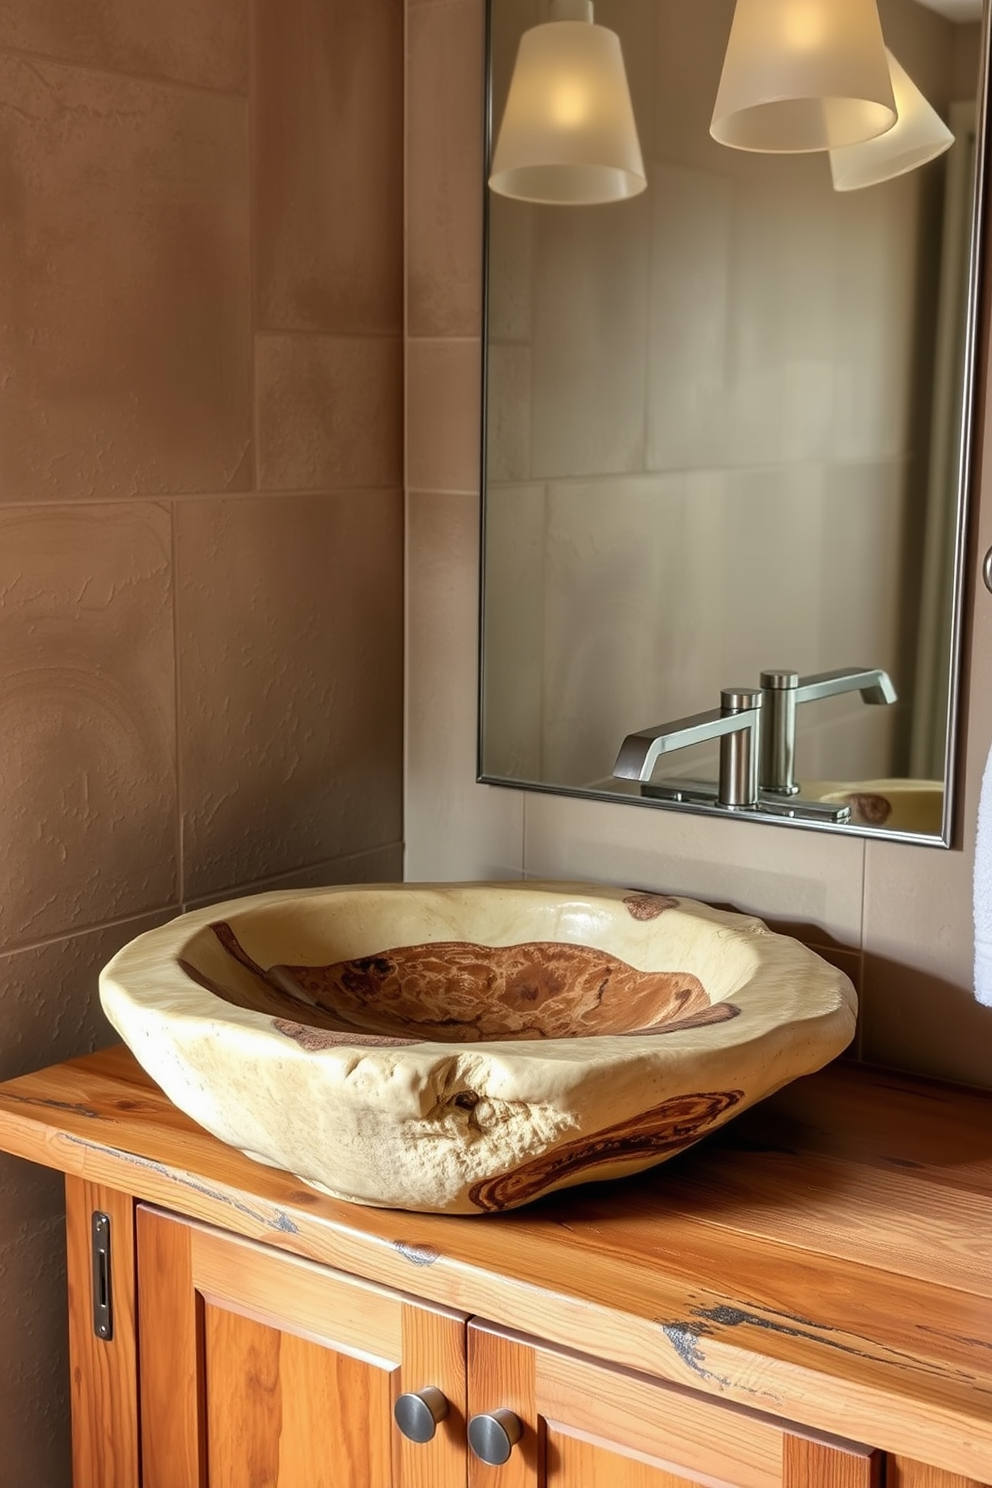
291,615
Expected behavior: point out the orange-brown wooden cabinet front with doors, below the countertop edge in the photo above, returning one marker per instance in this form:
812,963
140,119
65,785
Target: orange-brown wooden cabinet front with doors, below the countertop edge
233,1365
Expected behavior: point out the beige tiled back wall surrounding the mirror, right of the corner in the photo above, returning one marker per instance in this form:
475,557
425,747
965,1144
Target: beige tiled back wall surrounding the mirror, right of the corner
898,919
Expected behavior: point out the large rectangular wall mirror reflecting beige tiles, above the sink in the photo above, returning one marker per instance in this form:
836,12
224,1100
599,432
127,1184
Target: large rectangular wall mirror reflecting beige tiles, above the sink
727,435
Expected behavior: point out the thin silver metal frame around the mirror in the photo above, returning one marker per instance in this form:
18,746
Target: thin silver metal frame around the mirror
967,499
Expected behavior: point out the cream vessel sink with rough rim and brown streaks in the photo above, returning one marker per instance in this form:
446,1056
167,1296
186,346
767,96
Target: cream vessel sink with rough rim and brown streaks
469,1048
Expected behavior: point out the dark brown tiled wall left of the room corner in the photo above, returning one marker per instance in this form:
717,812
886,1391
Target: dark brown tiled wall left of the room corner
202,517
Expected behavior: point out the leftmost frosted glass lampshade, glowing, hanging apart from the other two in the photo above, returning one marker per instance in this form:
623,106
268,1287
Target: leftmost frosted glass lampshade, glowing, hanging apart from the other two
569,135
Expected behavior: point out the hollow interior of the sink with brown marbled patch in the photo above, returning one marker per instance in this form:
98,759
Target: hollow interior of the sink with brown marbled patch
453,990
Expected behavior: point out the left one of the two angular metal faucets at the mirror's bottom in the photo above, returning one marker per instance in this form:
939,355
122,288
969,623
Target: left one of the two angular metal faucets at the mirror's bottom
735,724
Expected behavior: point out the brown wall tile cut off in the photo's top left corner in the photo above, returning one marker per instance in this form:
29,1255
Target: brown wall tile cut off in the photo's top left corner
181,39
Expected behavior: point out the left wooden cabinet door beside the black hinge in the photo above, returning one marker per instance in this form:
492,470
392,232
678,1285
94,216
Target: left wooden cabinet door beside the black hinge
264,1371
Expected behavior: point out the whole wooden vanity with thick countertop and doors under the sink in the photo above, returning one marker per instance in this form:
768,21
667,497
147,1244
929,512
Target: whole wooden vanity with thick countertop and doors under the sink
819,1273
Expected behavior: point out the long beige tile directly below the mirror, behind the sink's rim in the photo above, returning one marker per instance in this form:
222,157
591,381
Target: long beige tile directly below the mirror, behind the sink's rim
814,885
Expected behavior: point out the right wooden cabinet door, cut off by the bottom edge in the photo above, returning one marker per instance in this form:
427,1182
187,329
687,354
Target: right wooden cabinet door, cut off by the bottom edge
593,1426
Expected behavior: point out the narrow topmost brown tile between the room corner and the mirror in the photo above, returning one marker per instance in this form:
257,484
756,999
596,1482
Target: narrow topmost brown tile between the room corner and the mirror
445,167
